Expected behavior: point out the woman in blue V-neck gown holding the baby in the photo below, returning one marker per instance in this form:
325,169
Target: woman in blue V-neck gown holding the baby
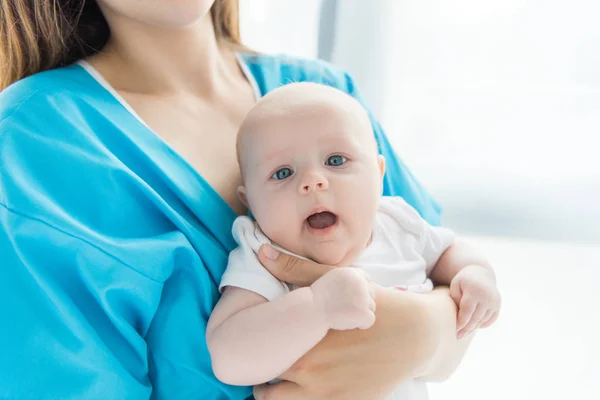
117,196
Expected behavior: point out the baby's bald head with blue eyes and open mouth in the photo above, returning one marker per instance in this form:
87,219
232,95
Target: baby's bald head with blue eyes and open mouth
312,176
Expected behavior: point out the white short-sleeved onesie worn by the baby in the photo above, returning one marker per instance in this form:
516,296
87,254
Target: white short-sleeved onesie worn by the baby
403,250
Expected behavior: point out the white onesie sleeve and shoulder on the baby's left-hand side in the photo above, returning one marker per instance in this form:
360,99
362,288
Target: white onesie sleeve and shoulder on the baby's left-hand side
244,269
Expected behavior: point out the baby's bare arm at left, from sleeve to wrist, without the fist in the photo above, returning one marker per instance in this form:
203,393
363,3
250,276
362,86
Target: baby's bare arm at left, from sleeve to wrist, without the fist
253,341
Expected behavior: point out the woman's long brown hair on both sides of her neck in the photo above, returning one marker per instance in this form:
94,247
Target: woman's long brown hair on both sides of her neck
37,35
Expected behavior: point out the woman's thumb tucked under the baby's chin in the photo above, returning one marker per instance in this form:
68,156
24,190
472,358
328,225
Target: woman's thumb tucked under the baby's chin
291,269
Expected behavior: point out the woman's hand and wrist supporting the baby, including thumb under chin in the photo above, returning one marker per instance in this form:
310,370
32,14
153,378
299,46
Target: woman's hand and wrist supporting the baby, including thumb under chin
362,364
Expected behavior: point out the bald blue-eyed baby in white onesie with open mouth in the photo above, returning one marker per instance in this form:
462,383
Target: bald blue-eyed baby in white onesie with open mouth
312,178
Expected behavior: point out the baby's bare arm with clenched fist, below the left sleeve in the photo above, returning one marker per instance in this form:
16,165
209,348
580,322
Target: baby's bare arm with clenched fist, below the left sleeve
252,341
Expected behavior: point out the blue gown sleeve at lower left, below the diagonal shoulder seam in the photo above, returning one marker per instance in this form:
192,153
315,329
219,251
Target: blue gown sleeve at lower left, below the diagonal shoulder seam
67,329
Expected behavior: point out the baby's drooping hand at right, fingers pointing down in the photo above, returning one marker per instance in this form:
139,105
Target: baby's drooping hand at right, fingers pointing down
475,293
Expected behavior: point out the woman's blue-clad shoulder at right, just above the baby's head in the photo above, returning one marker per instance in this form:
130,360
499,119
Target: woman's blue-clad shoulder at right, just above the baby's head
272,71
